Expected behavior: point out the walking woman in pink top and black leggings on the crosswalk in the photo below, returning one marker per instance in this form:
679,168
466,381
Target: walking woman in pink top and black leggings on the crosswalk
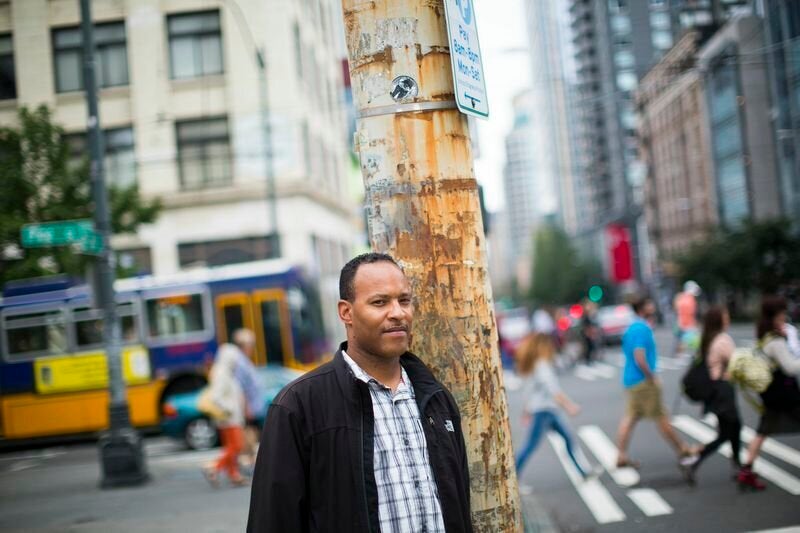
716,348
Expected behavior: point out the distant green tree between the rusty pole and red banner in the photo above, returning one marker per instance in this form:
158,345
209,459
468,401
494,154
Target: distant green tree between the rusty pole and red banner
560,274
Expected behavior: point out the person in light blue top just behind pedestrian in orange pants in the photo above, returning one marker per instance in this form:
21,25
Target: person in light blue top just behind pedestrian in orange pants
247,376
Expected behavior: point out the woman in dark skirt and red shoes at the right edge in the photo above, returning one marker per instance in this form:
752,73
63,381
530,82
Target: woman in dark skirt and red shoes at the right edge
782,398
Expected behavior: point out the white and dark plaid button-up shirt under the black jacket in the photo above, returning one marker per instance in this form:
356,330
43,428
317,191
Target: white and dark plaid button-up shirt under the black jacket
408,500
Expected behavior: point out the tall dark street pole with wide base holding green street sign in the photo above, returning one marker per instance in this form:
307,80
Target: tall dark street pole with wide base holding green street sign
120,448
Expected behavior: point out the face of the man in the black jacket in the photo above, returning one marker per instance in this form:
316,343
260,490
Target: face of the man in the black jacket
379,318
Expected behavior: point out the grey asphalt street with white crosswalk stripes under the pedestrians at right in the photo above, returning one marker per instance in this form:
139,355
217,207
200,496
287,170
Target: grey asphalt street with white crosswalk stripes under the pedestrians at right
659,500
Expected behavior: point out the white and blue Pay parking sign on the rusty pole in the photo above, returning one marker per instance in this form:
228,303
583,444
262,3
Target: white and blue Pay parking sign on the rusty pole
465,56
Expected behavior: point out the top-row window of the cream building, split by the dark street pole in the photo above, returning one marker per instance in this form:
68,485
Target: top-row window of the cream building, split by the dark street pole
111,54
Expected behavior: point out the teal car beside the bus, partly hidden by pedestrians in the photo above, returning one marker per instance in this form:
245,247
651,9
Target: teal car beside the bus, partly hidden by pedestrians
181,419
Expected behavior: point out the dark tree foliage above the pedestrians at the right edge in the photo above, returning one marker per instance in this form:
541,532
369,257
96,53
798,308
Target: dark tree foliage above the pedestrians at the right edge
762,256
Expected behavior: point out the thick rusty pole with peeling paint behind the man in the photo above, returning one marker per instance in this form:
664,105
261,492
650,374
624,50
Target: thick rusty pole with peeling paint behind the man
423,208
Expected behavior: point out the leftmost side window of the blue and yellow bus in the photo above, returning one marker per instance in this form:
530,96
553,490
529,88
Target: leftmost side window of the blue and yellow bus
32,334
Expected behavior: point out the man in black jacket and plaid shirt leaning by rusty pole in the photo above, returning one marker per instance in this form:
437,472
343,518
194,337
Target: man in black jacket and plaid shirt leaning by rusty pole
369,441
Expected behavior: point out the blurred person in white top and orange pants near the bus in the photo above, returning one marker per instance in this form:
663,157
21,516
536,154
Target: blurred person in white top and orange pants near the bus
226,394
